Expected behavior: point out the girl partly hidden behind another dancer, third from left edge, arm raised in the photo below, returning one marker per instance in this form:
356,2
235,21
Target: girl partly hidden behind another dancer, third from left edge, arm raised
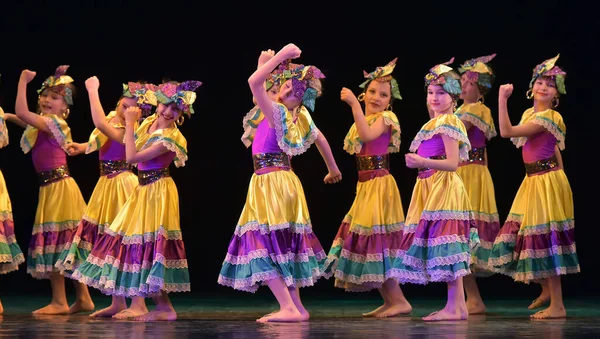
116,183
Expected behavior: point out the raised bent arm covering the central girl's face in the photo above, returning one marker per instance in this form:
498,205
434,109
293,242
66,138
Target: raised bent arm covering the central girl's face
257,79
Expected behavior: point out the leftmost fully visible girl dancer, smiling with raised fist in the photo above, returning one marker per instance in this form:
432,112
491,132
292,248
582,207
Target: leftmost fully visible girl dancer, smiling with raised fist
60,203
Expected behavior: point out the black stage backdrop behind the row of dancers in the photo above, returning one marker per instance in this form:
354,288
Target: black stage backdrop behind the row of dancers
218,43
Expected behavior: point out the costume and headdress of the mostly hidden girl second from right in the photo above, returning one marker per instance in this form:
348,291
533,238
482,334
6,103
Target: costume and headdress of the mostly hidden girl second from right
474,172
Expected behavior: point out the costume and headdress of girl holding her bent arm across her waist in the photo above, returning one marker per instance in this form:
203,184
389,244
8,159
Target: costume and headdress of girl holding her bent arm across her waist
439,229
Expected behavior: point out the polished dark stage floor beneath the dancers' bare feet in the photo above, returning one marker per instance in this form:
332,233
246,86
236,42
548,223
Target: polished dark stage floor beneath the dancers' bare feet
233,317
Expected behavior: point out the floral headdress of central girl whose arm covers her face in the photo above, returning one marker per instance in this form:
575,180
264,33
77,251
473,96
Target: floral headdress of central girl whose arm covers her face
300,75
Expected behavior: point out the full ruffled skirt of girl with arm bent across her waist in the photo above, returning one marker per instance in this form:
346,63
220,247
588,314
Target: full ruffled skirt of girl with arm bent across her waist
439,231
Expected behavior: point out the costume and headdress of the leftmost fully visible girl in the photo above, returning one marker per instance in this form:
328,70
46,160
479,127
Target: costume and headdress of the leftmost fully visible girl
60,203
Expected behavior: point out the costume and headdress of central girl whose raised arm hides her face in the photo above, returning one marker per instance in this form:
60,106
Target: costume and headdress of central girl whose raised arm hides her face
273,237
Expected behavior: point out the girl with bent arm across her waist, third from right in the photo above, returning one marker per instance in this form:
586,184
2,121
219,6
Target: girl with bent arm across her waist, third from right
439,229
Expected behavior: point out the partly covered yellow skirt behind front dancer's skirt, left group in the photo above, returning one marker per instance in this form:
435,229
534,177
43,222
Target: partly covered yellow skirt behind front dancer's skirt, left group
108,197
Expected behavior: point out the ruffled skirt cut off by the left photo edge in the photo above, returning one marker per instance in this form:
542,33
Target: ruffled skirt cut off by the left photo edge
10,252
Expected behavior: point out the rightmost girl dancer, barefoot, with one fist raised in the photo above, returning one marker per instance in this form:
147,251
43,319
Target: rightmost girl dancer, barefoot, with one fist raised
537,241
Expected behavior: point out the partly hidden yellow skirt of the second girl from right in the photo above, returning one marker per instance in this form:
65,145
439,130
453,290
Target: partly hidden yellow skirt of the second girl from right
480,188
